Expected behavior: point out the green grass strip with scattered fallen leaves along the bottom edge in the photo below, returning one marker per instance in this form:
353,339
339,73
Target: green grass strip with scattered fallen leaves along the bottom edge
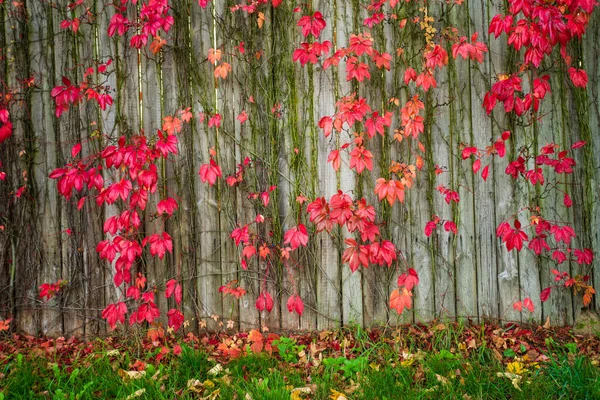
364,367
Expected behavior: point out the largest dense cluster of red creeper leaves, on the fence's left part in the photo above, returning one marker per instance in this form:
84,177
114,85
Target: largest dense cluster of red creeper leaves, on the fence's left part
126,175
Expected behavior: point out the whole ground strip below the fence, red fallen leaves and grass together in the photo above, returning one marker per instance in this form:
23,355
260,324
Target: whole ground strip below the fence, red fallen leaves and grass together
439,360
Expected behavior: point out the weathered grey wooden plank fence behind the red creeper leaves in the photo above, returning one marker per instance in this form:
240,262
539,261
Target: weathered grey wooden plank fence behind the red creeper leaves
469,274
